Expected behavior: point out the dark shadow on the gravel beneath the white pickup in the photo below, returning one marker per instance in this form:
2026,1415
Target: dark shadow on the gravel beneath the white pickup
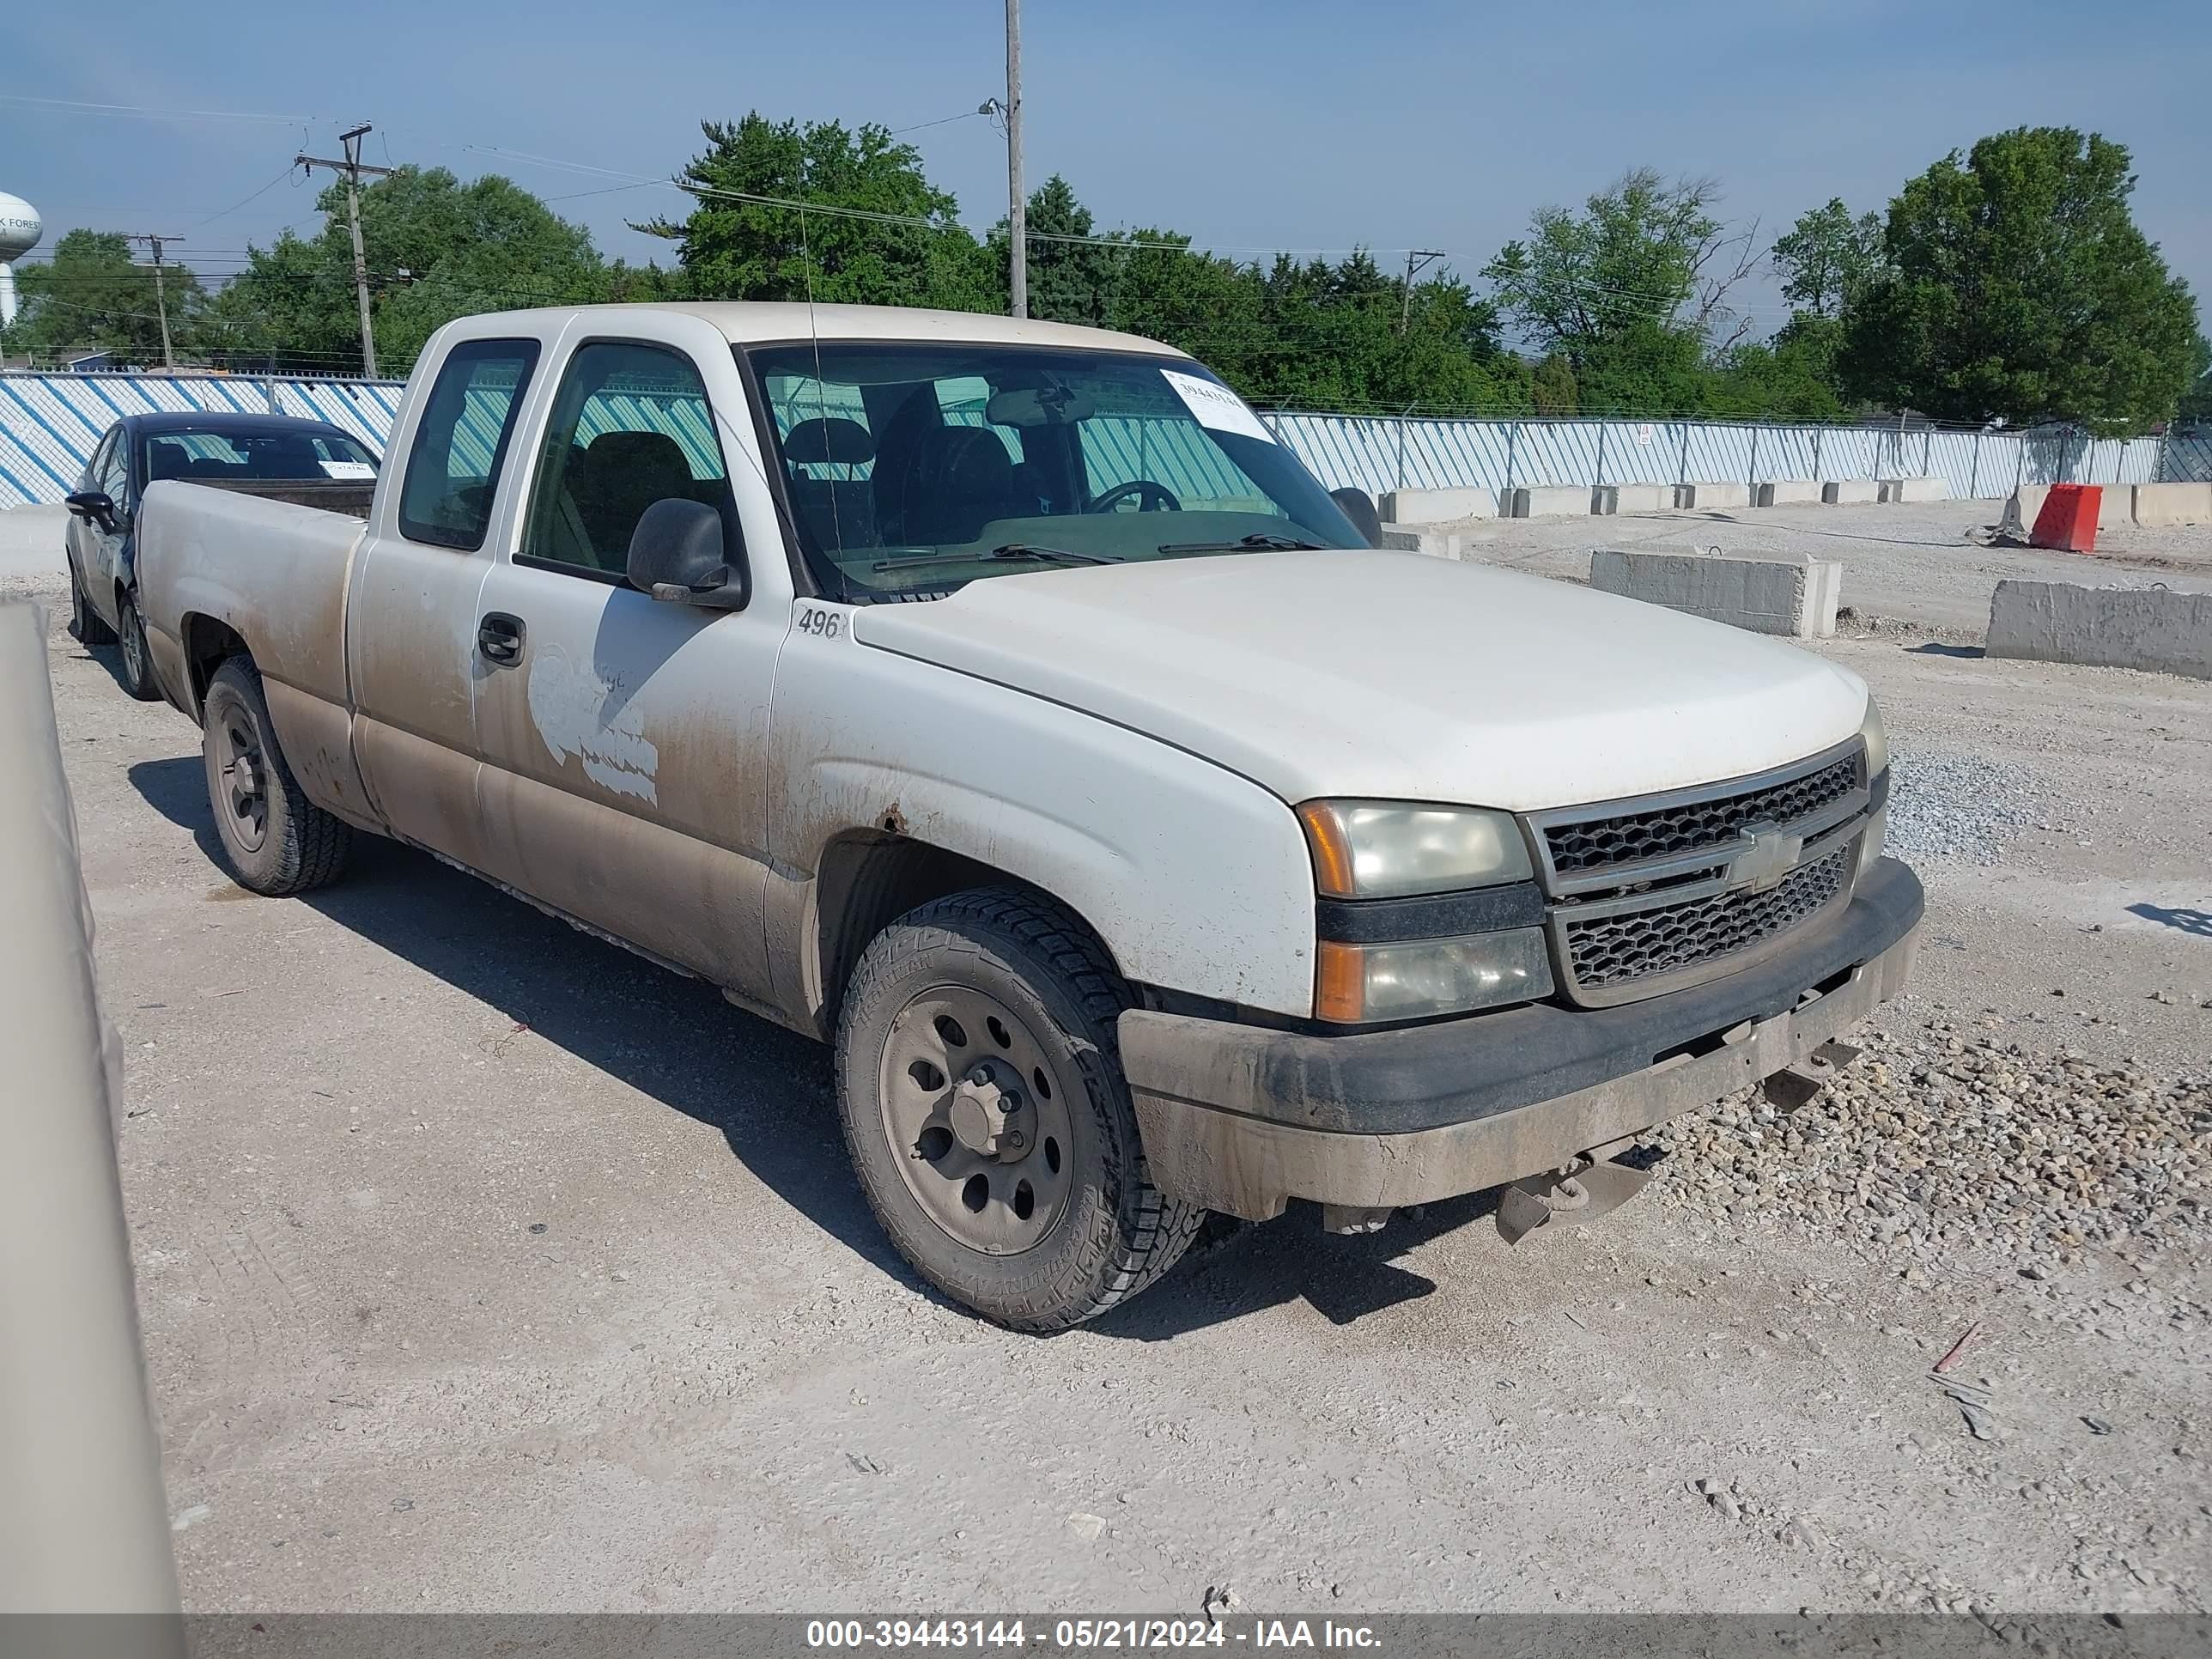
764,1089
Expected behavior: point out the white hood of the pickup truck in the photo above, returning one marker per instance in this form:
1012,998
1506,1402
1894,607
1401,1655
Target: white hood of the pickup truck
1392,676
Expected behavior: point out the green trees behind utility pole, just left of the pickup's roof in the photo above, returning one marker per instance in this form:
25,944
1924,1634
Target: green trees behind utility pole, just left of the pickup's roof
437,249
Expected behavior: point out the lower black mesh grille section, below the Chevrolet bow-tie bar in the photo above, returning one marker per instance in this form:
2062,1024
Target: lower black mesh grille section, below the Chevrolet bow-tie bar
1614,952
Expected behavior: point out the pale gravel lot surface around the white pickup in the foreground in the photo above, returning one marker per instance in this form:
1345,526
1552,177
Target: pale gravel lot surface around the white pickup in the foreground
483,1266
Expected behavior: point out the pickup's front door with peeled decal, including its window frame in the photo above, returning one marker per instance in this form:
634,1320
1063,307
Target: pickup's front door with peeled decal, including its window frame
625,738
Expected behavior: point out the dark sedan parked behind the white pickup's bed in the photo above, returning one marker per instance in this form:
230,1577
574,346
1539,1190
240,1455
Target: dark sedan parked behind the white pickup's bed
267,455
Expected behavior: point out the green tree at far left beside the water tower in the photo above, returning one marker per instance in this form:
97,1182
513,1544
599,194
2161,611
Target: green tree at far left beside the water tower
96,298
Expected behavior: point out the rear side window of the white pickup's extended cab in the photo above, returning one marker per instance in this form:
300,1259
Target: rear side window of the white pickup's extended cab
461,444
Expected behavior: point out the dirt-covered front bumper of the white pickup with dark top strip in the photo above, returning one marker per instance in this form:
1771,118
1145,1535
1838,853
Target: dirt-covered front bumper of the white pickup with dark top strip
1244,1118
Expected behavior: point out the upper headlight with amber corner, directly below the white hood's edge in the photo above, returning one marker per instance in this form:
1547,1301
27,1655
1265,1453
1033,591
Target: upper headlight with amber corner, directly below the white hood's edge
1390,848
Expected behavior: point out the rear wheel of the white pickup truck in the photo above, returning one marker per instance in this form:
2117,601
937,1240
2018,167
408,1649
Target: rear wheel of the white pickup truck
275,839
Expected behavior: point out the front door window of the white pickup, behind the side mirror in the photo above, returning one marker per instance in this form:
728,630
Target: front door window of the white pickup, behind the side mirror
629,428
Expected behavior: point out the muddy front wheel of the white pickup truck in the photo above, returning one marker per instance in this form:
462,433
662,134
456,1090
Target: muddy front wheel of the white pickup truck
985,1109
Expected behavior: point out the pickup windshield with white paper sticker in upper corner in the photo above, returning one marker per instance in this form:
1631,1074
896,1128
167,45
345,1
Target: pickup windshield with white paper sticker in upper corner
919,468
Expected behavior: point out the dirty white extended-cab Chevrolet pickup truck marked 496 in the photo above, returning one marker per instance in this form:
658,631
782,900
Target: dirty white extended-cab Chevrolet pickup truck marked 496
1003,705
